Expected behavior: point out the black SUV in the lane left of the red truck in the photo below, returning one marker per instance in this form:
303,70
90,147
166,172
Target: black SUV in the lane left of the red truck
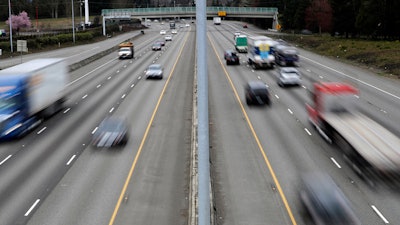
257,93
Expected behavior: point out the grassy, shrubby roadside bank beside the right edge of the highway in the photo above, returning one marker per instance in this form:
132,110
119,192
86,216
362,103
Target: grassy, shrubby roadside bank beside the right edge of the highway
379,55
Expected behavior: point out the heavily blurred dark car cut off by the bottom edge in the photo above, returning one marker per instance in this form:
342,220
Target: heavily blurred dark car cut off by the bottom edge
325,202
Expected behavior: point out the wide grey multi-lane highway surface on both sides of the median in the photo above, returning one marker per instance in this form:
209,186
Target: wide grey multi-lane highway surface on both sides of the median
53,175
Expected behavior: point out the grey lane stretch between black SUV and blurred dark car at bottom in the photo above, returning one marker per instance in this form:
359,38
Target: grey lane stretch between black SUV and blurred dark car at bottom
293,150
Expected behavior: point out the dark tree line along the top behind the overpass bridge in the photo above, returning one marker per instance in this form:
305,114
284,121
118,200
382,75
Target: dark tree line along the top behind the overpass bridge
349,18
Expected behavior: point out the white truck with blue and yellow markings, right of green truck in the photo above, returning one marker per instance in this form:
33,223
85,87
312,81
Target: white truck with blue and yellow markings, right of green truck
260,52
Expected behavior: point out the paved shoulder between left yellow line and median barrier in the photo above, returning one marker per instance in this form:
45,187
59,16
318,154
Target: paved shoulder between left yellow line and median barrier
160,182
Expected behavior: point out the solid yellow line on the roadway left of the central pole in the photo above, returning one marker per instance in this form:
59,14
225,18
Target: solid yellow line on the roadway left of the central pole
128,178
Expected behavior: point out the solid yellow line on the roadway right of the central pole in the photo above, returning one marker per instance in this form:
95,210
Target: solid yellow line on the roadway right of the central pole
278,186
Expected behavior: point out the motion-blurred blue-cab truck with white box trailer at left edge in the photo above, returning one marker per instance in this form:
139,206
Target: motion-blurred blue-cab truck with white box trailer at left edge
29,93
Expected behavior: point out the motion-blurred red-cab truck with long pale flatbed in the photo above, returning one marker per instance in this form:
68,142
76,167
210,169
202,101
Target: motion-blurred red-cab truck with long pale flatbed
368,145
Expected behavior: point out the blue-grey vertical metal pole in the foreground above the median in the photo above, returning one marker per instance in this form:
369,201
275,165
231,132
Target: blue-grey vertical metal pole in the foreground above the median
203,132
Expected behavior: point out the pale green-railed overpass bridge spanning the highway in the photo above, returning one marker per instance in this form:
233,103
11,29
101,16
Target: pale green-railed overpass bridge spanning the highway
178,12
